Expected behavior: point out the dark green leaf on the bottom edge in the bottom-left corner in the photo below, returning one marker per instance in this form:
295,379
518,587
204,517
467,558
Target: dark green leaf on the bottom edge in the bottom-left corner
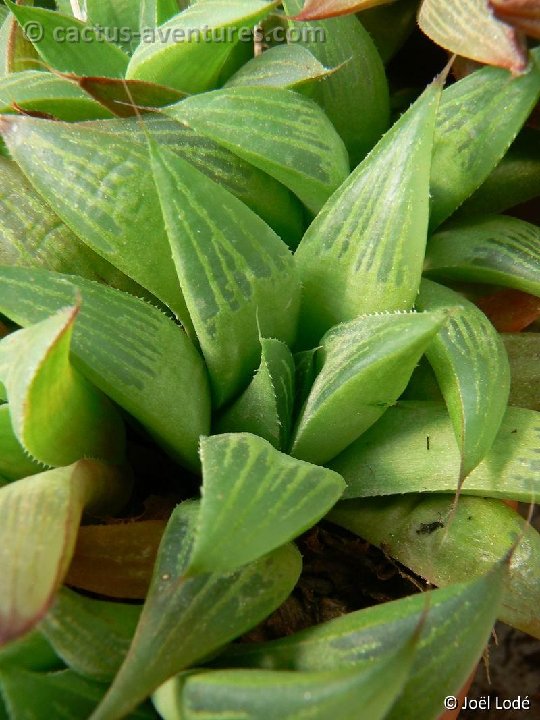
72,697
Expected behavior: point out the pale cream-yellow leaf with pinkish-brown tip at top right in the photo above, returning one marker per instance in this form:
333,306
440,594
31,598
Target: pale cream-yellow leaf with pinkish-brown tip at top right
469,28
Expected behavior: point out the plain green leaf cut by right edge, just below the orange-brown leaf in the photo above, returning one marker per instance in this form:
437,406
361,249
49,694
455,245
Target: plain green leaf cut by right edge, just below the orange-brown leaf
524,355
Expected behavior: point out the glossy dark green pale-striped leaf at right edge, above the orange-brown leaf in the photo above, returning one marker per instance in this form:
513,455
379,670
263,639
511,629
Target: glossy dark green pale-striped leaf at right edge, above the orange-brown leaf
500,250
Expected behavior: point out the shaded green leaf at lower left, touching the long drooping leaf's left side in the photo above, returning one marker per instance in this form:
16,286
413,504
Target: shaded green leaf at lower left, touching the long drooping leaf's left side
91,636
